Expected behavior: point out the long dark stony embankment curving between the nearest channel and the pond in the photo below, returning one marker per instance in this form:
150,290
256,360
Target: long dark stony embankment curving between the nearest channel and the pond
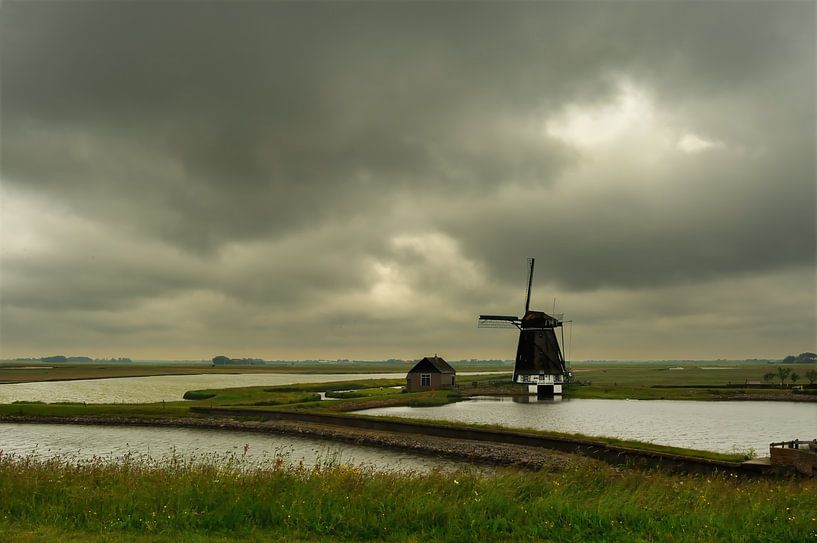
497,447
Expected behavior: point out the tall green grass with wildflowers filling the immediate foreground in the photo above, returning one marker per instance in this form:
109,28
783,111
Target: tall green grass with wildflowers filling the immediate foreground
222,500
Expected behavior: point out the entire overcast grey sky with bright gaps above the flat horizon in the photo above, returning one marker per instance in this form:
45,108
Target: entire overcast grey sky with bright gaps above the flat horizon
361,180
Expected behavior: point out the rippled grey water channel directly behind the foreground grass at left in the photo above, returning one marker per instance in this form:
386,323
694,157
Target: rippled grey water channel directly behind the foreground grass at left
78,442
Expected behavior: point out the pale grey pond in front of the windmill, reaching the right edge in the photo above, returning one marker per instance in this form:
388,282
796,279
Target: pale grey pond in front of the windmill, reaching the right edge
723,426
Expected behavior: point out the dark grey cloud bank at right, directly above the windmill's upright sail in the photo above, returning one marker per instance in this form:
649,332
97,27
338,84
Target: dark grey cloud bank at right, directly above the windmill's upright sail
751,216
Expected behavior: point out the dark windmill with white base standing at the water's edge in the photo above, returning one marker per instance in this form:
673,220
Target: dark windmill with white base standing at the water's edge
539,360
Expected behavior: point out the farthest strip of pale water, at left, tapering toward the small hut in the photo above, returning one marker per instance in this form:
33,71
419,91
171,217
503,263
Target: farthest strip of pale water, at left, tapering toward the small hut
161,387
